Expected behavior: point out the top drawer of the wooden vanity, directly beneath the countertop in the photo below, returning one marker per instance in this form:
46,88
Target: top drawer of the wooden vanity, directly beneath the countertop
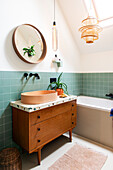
41,115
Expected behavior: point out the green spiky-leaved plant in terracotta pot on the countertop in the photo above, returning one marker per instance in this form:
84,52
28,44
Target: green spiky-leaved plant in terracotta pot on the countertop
58,86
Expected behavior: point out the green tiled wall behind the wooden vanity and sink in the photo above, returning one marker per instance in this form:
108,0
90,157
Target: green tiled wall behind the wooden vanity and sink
12,84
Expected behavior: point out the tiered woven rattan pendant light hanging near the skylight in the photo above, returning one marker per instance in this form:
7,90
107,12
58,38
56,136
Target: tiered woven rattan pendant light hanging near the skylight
90,29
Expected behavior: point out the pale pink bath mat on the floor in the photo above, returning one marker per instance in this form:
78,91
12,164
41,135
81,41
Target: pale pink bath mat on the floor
80,158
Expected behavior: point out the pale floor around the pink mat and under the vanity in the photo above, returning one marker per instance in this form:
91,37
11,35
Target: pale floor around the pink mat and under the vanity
54,150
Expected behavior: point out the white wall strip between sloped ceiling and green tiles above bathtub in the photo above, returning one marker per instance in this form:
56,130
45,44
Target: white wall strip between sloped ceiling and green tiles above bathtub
97,62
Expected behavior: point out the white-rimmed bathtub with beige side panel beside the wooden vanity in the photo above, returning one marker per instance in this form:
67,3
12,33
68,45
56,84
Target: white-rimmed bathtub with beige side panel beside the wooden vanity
93,120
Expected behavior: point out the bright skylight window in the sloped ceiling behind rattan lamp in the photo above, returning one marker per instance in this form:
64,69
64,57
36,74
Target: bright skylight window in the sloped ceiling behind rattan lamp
102,10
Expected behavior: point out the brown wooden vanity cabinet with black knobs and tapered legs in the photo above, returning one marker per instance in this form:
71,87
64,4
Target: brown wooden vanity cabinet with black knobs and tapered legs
32,130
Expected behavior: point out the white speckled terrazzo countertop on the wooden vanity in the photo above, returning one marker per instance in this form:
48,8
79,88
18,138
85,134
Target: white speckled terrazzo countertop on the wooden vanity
32,108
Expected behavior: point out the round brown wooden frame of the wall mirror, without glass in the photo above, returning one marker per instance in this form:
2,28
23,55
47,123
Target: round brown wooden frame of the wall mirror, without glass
21,56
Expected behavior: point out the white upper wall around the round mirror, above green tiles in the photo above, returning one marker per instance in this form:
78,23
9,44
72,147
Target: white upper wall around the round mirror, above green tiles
40,14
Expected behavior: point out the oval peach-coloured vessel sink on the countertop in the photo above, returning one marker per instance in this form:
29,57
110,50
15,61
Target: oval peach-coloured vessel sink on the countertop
38,97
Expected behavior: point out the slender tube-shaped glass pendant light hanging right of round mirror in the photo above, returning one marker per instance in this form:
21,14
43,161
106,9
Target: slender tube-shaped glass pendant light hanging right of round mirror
54,33
